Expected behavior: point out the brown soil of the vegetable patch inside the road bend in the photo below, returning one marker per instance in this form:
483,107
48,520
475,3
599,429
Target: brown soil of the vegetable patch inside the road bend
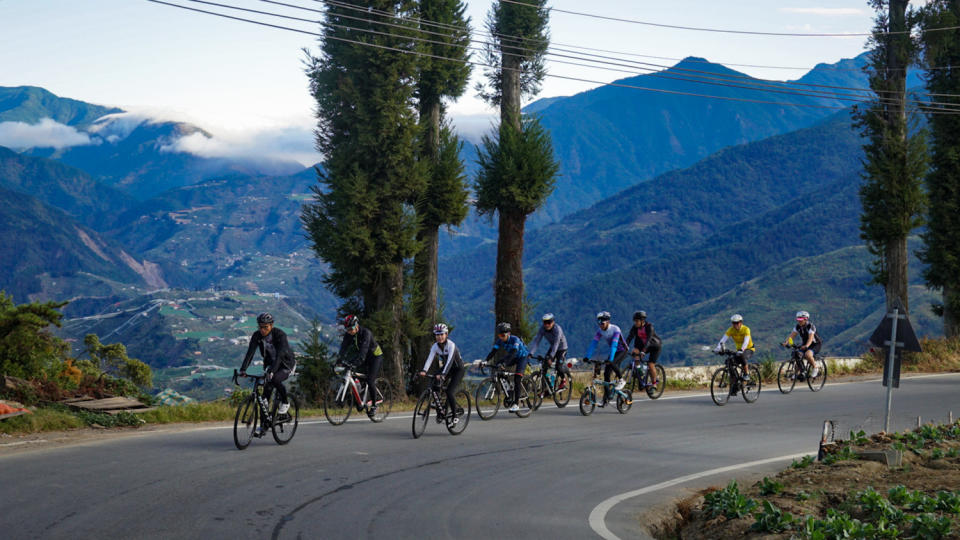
812,490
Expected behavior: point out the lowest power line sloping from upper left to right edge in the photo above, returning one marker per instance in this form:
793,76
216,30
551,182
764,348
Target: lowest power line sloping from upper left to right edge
577,79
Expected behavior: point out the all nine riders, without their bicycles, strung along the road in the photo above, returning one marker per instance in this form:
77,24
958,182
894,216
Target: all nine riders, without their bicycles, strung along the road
510,351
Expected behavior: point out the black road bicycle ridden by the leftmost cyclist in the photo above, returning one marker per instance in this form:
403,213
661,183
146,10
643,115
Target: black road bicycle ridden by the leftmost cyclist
255,415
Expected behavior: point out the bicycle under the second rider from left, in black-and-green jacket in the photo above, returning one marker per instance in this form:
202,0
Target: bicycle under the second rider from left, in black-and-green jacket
348,390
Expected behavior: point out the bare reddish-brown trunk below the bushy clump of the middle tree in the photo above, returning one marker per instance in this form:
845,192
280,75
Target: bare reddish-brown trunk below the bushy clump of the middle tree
508,286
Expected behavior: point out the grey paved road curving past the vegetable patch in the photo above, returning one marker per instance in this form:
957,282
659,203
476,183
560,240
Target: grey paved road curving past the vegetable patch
509,477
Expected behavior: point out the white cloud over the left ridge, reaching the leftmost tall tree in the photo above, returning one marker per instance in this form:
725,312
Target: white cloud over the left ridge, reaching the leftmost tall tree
286,143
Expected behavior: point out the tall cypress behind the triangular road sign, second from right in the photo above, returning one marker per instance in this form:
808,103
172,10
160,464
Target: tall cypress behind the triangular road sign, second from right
895,160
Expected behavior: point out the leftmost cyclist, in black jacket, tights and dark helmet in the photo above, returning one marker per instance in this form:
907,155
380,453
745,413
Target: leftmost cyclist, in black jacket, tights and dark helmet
278,359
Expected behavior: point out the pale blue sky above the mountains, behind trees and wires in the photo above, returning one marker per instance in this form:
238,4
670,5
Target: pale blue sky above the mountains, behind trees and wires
245,83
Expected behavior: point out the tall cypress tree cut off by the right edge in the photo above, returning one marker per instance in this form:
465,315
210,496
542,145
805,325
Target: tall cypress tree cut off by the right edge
941,50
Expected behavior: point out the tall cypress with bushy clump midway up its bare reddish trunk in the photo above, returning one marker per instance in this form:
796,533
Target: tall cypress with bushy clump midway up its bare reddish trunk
517,170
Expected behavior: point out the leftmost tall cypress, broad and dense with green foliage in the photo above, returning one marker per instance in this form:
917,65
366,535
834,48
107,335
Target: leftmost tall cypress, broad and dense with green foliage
361,221
